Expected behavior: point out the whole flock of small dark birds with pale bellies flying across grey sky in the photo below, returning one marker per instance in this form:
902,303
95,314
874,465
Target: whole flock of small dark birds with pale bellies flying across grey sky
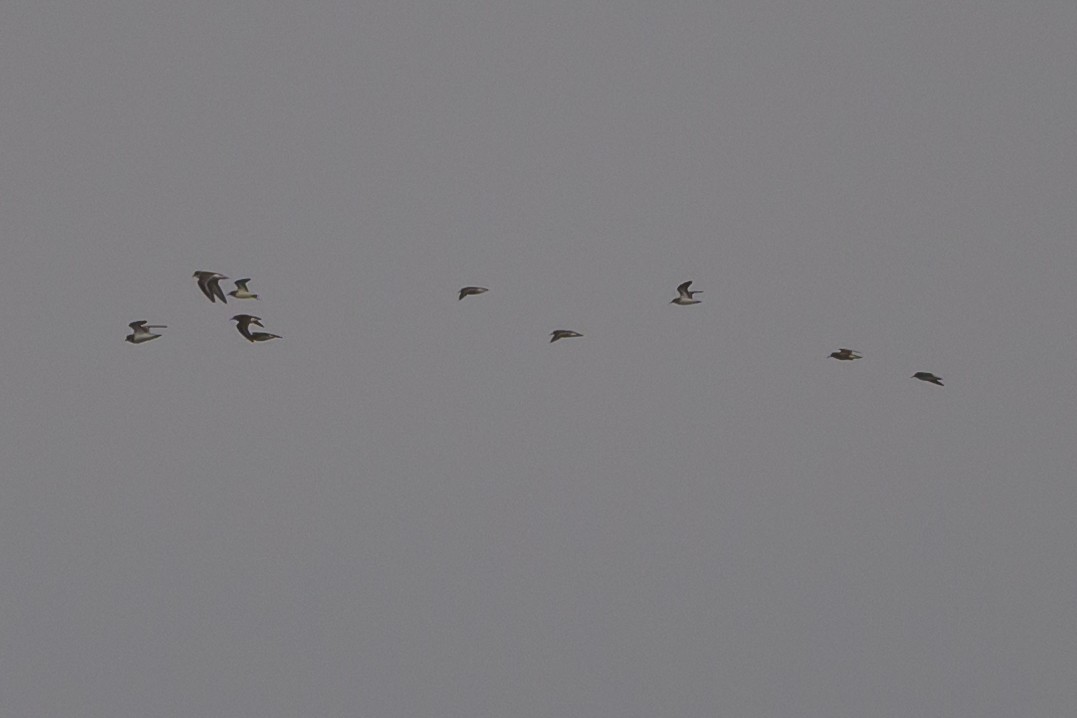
209,283
